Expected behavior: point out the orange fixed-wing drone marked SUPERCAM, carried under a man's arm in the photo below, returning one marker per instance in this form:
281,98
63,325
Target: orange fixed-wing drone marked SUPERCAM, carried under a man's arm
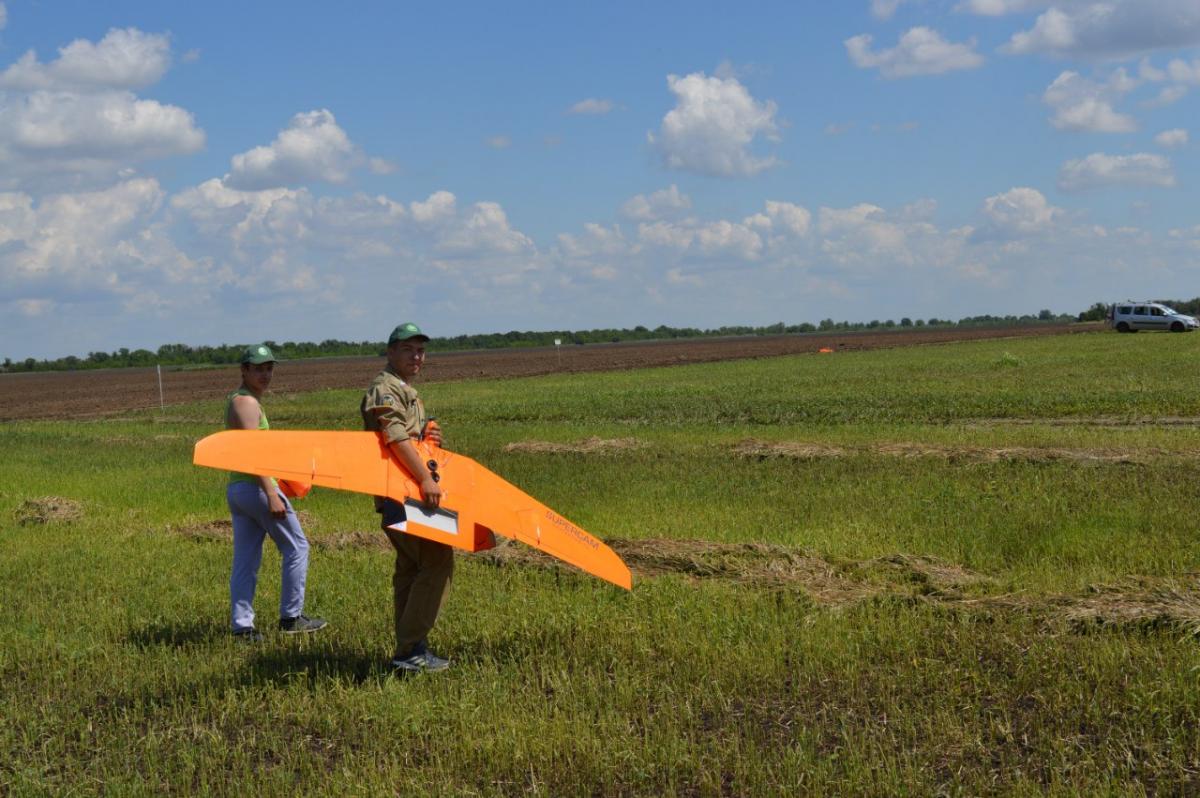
476,503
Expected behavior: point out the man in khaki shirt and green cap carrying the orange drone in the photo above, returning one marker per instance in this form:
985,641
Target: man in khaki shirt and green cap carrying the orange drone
424,568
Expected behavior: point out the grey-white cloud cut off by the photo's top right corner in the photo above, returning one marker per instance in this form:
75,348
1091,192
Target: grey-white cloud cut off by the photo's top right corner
1111,29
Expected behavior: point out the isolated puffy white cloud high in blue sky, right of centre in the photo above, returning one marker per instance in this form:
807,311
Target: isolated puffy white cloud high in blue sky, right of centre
712,128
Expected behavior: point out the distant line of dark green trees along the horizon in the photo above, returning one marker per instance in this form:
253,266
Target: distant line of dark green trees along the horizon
181,355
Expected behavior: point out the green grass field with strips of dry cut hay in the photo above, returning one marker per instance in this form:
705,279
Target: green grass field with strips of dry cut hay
964,569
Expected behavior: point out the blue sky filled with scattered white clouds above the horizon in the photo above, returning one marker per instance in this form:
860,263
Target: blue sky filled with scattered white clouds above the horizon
230,172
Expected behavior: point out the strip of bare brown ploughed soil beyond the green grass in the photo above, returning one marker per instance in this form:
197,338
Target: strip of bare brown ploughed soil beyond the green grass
100,393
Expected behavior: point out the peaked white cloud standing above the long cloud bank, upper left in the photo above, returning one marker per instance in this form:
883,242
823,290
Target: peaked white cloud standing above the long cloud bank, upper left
313,148
